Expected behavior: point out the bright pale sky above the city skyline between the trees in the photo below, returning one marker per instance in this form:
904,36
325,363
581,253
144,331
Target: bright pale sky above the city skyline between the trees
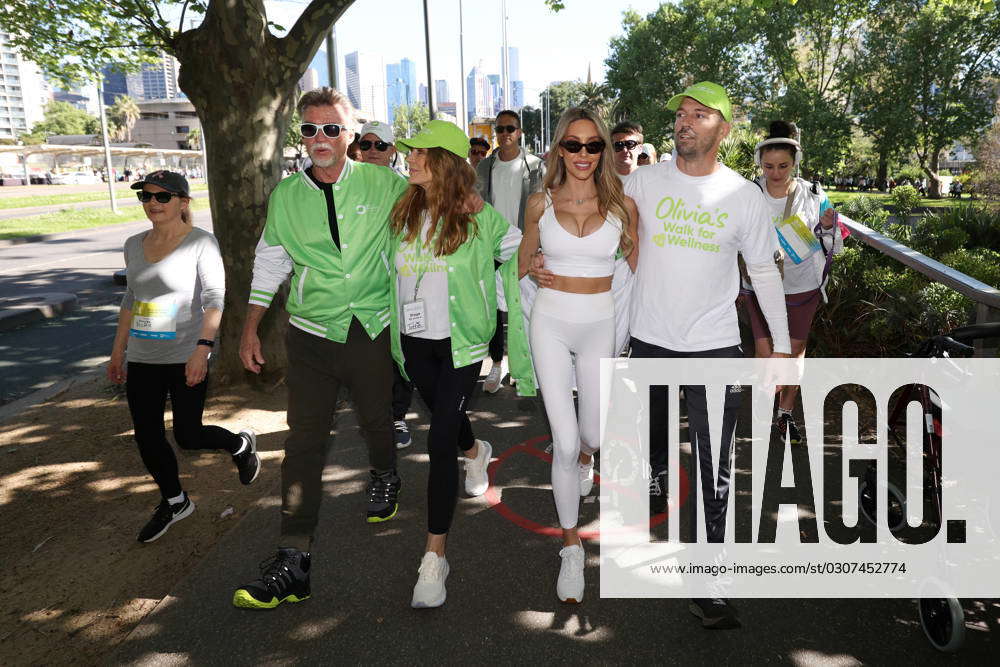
553,47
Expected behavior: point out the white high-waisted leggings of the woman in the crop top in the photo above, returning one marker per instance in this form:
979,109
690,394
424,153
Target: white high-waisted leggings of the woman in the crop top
566,325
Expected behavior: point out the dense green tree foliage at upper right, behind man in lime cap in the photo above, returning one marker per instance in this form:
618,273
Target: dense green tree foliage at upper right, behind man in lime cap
911,75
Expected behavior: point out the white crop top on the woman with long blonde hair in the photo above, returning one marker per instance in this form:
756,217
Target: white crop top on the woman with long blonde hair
590,256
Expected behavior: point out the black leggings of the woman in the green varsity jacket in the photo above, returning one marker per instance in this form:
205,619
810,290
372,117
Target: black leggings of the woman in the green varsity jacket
446,391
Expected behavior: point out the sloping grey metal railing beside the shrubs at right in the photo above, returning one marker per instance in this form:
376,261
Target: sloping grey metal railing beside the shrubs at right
986,298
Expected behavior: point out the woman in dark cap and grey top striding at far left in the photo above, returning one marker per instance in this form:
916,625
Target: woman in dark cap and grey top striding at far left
166,330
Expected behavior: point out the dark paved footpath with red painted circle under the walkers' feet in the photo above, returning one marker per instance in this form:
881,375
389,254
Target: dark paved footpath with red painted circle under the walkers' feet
501,605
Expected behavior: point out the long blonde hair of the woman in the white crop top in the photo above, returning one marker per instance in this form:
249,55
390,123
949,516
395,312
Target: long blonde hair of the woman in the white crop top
610,194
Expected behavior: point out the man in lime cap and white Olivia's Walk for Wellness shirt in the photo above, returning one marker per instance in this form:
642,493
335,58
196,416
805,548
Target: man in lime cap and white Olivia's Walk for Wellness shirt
695,215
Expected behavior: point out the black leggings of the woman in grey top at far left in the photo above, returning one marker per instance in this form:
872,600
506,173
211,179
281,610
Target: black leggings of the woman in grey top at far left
147,389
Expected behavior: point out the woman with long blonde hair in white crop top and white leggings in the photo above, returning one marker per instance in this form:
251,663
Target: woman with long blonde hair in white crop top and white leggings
581,221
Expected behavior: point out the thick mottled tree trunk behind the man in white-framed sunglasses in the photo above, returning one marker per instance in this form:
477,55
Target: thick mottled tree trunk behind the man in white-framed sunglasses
244,111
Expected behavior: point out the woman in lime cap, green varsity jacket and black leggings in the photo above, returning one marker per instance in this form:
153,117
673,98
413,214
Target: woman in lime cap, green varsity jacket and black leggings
444,314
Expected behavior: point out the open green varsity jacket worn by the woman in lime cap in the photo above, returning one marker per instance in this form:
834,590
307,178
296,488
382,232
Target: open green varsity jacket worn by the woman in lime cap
472,298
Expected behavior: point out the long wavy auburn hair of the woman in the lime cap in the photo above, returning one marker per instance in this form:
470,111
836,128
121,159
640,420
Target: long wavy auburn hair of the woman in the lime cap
454,181
